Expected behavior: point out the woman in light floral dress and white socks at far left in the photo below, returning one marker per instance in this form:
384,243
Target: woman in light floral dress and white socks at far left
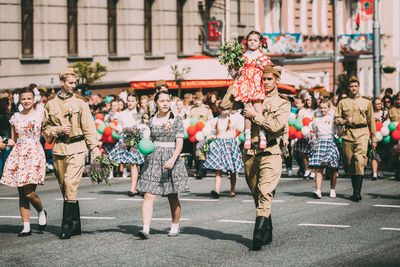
25,168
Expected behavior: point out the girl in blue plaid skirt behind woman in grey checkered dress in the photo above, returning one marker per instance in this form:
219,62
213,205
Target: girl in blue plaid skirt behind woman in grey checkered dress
130,117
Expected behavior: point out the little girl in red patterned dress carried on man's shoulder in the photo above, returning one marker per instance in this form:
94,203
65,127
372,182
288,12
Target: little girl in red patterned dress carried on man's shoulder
248,80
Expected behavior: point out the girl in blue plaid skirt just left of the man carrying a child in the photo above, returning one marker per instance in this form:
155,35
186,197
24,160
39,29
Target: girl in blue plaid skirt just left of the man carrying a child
224,153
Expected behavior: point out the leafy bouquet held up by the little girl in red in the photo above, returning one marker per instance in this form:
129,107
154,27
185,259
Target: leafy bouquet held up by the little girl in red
232,54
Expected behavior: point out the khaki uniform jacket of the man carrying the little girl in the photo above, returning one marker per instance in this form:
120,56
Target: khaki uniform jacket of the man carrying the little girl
276,111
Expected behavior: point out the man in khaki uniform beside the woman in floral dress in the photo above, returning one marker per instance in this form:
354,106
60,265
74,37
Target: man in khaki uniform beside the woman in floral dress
68,120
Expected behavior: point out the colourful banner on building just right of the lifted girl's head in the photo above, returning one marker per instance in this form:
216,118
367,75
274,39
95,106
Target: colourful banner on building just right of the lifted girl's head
284,43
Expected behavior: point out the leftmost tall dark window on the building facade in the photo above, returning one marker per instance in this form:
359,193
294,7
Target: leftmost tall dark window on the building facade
27,27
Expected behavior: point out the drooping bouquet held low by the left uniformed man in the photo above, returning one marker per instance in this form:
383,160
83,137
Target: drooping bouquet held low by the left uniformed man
99,170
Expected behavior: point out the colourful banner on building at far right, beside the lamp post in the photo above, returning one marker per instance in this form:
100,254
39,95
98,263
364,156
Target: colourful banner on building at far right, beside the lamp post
356,42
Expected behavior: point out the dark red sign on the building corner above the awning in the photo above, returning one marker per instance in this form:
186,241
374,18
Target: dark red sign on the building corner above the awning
212,37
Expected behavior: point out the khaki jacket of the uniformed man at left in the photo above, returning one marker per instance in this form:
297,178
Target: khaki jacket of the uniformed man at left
80,121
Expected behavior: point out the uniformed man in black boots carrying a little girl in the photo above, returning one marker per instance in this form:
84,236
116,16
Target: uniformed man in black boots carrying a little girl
263,167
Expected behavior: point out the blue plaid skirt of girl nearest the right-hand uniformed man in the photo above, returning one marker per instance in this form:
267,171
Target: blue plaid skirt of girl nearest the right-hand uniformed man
324,151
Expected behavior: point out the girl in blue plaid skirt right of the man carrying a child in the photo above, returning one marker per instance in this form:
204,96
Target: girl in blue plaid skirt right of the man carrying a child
325,152
